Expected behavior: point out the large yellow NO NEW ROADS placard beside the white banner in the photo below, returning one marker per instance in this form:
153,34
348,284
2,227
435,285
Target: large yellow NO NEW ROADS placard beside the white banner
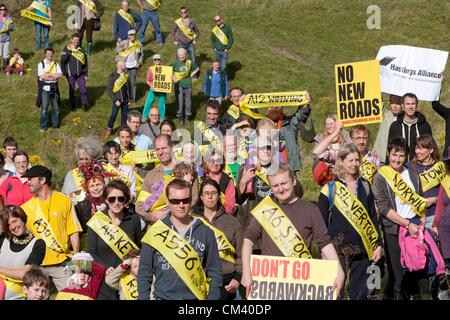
358,92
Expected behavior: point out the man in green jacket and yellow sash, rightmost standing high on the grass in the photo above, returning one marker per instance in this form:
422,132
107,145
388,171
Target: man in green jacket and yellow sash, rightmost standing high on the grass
221,41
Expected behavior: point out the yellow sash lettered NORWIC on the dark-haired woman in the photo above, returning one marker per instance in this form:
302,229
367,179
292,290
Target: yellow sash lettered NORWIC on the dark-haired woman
403,191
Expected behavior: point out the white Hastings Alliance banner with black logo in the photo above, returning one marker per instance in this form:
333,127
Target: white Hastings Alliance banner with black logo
406,69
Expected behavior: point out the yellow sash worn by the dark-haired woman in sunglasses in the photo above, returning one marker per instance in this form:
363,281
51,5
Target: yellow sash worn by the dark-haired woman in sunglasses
112,234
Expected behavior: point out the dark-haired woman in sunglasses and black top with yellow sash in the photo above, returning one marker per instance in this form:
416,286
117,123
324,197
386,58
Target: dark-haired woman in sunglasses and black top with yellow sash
114,232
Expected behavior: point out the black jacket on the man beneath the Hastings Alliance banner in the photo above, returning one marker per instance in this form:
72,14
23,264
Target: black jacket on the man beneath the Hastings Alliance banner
410,131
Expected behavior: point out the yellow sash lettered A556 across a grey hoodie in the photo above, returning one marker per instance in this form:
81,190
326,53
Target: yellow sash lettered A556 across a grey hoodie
181,256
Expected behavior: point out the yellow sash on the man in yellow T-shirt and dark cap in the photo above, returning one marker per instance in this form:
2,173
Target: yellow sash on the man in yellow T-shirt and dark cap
41,227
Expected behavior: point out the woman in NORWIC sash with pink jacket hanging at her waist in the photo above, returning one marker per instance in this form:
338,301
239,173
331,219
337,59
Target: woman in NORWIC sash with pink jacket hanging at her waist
398,196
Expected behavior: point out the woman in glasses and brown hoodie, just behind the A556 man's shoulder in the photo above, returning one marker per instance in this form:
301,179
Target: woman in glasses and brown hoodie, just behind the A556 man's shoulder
212,211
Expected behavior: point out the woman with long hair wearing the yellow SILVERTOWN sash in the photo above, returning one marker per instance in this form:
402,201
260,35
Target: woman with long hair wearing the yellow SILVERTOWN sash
348,208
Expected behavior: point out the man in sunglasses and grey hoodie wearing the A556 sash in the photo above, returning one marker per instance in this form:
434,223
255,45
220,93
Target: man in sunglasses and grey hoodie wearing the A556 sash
173,268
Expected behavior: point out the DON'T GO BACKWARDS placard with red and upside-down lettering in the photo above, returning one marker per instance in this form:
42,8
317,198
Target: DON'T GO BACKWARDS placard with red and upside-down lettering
287,278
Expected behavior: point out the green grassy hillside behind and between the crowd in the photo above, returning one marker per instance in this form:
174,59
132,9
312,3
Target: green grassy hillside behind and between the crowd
279,46
